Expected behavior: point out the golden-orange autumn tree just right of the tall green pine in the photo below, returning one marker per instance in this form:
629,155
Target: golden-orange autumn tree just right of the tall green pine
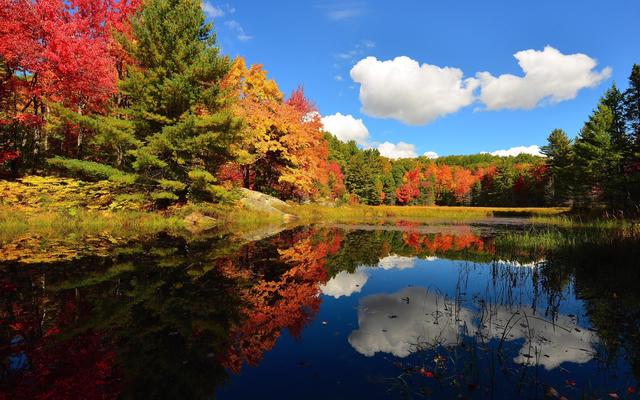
282,149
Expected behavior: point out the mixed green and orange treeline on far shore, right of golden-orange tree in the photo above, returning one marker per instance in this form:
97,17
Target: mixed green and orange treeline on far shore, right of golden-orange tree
599,169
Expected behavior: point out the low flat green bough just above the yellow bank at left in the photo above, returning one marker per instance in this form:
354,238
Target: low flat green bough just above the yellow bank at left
89,170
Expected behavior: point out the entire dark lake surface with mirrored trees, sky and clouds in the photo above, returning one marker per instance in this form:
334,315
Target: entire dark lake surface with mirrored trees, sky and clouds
326,313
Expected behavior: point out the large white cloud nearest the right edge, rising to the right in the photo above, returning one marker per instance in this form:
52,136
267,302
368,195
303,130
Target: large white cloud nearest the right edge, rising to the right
548,74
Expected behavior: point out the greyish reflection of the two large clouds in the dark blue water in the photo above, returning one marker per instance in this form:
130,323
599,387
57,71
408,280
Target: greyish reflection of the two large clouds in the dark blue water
414,318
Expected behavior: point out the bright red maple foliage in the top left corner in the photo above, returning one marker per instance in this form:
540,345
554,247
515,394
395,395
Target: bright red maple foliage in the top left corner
64,49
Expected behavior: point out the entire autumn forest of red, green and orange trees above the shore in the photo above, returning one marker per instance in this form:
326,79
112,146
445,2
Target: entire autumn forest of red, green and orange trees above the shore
139,94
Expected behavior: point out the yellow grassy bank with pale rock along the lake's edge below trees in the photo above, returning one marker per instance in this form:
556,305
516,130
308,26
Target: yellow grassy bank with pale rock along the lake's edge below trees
60,210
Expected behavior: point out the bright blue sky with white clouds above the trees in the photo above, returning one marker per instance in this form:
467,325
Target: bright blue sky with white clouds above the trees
318,43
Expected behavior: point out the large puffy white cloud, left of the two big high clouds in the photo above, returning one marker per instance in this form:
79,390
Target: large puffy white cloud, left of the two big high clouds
412,93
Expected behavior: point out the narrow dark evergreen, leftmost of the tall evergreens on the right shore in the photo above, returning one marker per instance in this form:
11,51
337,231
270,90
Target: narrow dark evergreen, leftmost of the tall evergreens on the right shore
559,154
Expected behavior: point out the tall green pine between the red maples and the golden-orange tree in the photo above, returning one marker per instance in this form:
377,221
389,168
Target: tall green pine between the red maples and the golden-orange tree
172,91
